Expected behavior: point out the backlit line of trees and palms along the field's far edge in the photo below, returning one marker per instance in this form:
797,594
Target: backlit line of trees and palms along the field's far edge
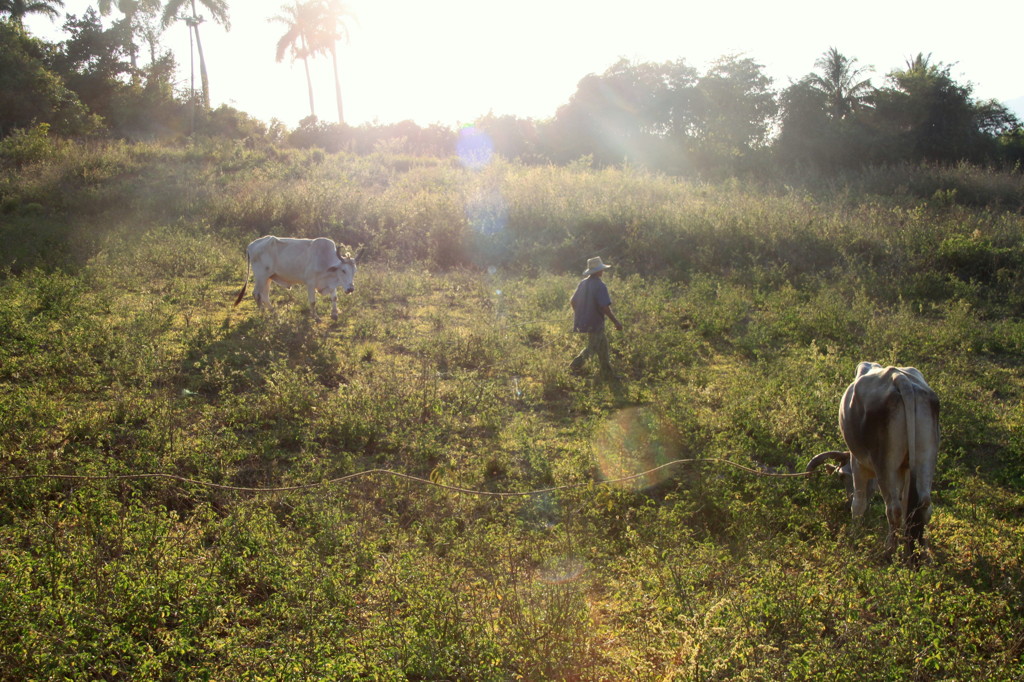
668,117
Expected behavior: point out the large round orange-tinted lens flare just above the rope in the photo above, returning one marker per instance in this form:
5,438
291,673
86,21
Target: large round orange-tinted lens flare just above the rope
635,441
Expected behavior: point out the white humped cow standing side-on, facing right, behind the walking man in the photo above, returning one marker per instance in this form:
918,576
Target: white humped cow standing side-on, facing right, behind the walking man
319,265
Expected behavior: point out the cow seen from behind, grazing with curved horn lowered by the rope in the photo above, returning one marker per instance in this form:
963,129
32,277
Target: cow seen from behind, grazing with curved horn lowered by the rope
889,418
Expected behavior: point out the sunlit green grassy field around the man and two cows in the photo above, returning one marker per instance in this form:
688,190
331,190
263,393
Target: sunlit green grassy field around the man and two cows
747,309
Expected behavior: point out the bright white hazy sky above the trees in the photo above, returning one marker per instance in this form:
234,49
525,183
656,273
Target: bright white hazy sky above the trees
451,62
